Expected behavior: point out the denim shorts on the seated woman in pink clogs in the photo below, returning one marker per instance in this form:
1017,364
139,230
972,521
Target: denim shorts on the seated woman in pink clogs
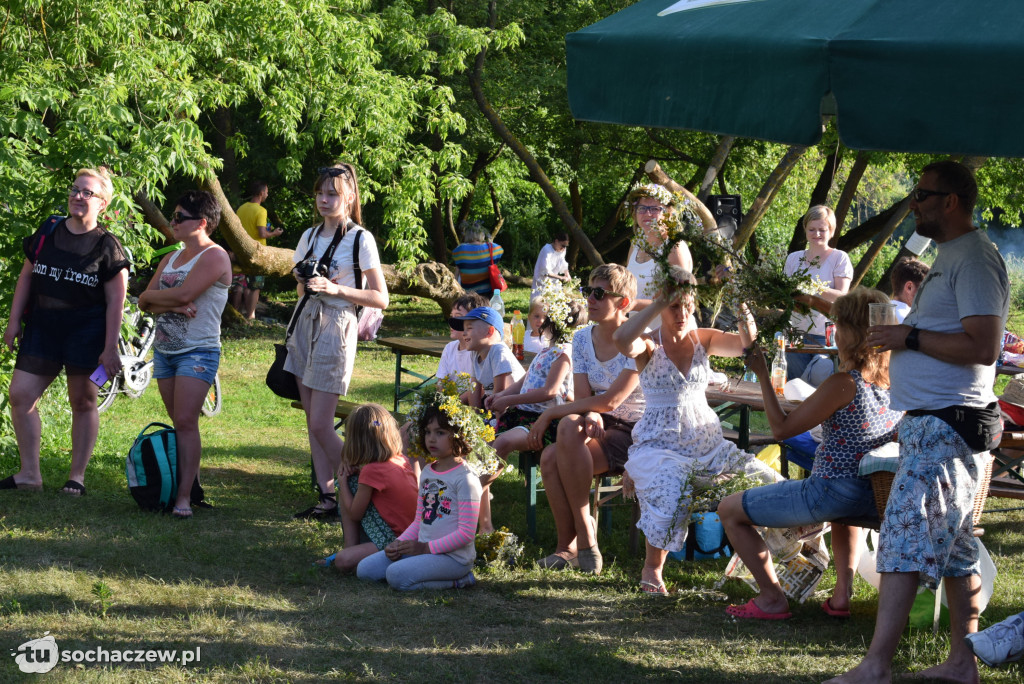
795,503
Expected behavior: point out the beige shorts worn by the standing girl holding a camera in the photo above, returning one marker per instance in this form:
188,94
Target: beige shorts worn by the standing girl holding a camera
322,350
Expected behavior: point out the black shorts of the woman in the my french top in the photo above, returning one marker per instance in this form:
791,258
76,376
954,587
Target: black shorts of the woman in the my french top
69,339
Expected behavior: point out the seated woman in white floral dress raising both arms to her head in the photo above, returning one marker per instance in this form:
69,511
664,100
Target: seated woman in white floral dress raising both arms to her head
679,438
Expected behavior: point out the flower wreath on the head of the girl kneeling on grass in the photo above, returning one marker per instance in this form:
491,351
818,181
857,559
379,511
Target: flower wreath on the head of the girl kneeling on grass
471,423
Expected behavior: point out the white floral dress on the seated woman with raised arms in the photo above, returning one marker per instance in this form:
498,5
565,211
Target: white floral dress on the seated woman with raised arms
679,437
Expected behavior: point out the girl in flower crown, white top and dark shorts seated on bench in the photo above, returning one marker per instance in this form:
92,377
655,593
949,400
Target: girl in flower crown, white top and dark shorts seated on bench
547,383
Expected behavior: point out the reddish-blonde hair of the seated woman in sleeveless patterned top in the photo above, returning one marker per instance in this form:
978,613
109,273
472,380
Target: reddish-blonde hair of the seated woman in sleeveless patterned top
850,315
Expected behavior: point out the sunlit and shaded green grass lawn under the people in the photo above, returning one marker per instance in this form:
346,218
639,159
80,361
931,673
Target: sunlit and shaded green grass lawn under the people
237,581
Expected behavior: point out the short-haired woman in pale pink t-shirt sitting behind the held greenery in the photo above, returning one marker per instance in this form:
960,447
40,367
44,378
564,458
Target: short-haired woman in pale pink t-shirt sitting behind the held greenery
834,269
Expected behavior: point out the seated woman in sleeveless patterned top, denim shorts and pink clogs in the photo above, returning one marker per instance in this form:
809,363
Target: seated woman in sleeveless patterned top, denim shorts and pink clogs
854,409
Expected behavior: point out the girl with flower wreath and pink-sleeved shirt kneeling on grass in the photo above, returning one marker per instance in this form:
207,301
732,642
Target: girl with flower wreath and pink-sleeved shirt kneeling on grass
438,550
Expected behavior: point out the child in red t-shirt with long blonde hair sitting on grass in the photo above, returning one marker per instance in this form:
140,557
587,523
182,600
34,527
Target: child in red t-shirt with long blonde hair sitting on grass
376,487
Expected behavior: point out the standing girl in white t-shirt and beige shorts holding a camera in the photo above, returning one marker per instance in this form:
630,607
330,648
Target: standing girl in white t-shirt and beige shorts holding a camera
322,349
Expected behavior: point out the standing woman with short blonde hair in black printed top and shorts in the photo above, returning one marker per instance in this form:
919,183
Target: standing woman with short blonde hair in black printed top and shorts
70,295
